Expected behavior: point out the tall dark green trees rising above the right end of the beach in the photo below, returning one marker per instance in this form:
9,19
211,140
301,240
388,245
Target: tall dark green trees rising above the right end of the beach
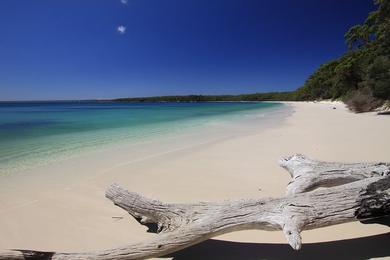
362,71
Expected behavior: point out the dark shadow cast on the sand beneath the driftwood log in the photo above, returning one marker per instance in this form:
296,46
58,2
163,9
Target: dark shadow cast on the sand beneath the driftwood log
359,248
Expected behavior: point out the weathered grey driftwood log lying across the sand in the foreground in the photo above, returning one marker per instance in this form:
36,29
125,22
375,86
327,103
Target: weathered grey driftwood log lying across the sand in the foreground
320,194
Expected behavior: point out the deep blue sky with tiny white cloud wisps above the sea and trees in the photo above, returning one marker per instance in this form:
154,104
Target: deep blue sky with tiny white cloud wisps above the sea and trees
81,49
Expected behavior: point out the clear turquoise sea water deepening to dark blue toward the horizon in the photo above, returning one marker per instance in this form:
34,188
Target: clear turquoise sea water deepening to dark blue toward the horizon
37,133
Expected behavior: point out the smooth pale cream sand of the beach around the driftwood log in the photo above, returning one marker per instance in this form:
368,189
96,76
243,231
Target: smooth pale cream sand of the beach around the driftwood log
62,207
